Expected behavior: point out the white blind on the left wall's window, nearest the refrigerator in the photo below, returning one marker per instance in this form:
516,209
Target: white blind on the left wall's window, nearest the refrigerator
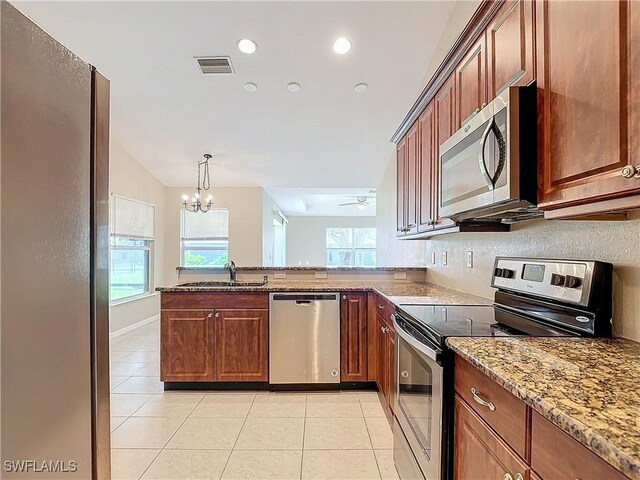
130,218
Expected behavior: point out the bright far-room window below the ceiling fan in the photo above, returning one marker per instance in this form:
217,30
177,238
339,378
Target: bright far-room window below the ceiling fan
351,247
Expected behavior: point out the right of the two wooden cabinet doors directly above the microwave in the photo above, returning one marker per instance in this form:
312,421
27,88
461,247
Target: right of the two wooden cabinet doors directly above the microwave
510,39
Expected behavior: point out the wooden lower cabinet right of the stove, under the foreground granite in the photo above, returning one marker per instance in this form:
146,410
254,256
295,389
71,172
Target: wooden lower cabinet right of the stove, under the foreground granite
489,443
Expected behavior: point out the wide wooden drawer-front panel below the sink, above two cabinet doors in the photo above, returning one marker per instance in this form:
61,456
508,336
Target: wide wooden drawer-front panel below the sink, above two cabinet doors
213,300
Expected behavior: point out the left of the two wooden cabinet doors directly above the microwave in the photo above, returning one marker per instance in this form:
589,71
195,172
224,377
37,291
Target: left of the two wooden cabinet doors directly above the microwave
471,89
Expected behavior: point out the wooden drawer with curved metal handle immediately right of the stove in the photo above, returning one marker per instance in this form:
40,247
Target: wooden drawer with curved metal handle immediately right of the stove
507,415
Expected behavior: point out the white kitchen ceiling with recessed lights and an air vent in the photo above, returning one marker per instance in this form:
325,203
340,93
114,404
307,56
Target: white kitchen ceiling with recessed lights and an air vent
166,114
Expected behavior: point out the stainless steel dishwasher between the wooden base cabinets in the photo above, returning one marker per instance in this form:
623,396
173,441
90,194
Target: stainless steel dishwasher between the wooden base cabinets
304,337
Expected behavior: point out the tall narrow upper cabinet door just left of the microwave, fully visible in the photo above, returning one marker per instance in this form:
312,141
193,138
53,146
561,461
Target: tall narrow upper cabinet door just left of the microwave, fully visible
426,168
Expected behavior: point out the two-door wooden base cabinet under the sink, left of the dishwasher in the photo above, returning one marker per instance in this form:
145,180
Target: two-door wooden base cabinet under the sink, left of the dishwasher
214,337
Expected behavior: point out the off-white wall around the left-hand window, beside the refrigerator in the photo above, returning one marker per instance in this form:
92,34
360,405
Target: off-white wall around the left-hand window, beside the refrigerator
130,179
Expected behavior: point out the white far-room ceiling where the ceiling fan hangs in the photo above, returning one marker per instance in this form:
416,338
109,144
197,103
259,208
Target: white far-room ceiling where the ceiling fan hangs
323,202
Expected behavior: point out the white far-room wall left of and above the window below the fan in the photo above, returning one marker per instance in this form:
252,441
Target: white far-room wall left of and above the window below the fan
306,237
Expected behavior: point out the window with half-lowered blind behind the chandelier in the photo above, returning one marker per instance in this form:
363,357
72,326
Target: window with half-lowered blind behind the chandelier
204,238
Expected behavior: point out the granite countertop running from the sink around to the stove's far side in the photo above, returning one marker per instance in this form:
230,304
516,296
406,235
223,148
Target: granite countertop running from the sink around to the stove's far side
396,292
